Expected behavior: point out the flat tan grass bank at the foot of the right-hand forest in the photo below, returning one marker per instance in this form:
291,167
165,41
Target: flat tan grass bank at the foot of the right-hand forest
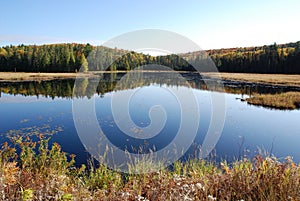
272,79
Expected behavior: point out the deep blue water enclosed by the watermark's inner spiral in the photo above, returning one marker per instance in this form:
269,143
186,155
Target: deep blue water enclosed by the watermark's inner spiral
139,107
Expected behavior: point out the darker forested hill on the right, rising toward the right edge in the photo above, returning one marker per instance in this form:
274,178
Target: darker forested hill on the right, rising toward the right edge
284,58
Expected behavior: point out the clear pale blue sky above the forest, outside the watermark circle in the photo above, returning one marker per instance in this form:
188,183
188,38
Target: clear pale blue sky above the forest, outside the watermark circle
209,23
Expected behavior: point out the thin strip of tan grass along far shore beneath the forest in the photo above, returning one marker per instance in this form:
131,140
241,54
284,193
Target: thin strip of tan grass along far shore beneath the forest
270,79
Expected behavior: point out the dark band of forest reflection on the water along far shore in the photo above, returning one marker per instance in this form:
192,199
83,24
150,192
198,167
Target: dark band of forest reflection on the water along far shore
114,82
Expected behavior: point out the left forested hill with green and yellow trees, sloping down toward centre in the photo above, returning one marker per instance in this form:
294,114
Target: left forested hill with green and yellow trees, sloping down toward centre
71,57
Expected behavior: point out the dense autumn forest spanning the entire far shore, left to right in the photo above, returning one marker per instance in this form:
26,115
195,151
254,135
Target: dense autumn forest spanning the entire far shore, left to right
283,58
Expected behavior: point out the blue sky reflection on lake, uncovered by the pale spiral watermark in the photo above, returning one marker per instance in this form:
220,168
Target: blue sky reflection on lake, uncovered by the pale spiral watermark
246,127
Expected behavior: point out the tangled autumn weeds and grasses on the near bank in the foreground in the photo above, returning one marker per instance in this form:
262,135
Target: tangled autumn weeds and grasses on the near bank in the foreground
40,172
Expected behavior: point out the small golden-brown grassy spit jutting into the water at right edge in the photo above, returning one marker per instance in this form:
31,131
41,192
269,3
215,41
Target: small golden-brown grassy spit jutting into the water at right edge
288,100
